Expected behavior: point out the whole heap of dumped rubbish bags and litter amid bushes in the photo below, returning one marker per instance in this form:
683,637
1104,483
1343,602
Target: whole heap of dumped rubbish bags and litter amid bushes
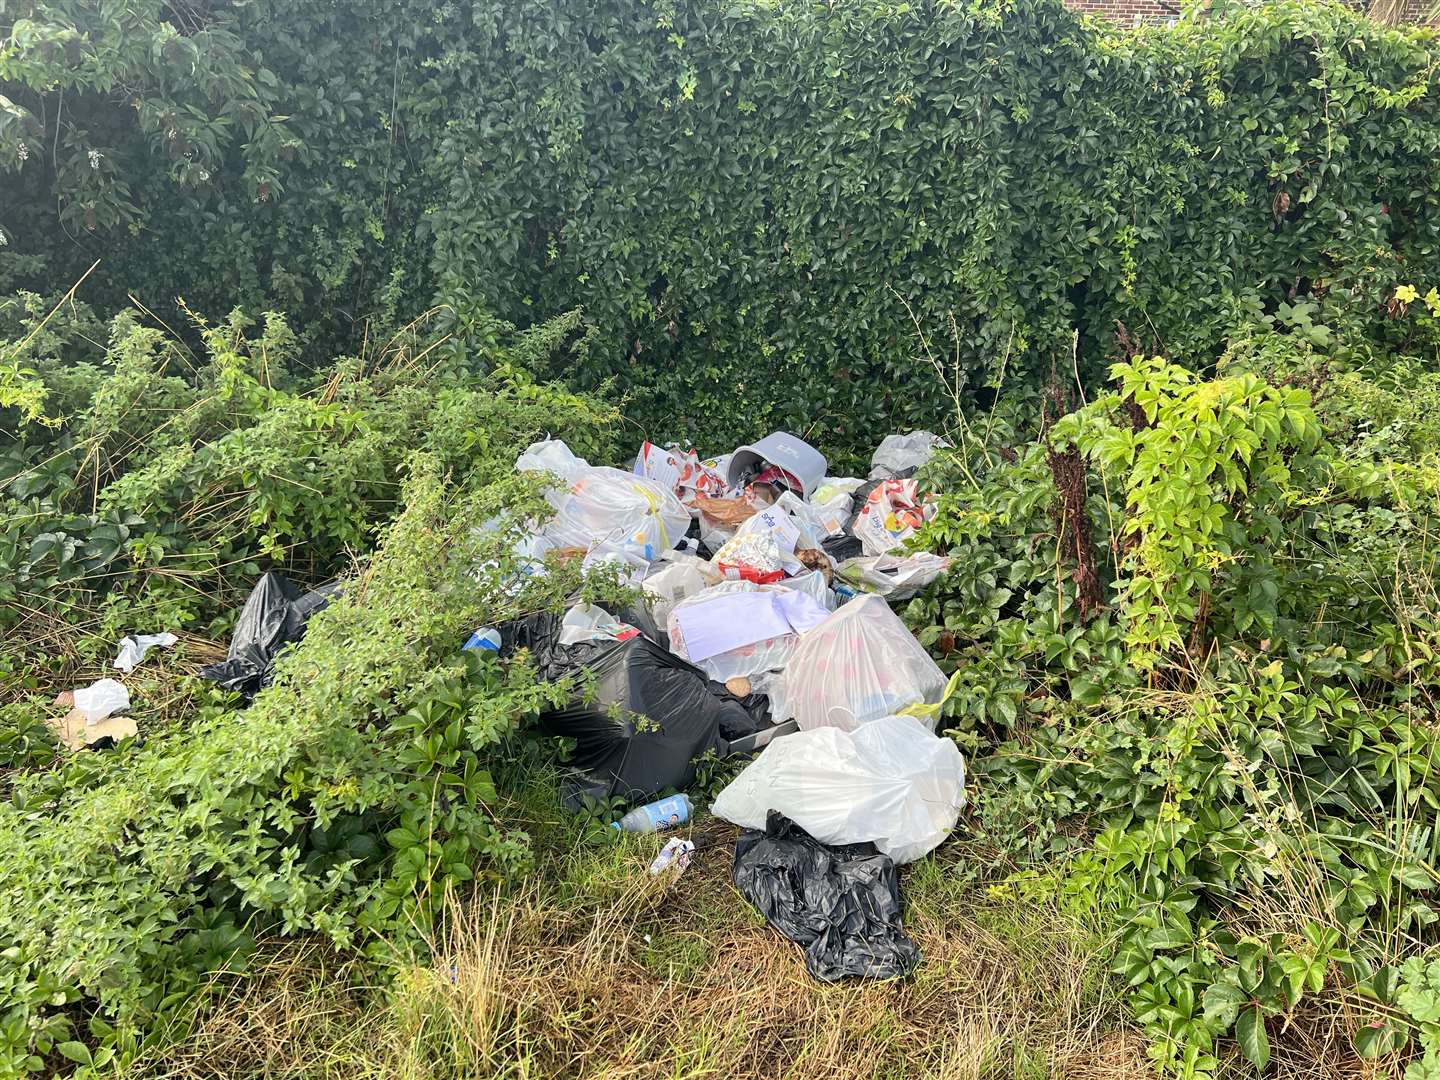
767,629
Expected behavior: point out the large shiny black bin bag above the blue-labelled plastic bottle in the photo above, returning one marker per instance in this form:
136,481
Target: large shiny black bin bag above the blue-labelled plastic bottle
640,715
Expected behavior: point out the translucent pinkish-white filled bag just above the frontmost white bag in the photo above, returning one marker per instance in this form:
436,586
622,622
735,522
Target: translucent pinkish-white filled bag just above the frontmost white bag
858,666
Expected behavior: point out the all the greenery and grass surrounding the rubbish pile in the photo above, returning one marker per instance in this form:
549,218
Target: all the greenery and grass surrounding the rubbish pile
1193,607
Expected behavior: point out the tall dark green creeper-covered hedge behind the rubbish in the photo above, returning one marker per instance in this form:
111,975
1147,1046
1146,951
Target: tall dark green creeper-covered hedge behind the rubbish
748,199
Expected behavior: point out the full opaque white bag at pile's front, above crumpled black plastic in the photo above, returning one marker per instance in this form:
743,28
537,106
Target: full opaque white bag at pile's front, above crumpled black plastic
891,781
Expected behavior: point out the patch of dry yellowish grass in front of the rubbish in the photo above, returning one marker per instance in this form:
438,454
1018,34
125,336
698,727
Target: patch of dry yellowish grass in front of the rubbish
610,974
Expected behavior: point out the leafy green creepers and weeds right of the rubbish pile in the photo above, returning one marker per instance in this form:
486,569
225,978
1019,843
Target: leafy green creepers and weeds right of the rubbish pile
1239,731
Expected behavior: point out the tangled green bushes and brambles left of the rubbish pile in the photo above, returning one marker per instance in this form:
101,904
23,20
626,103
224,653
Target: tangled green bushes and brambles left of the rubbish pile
355,791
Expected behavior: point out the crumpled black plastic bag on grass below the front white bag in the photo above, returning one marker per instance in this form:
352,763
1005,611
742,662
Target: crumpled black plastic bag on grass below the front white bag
840,904
